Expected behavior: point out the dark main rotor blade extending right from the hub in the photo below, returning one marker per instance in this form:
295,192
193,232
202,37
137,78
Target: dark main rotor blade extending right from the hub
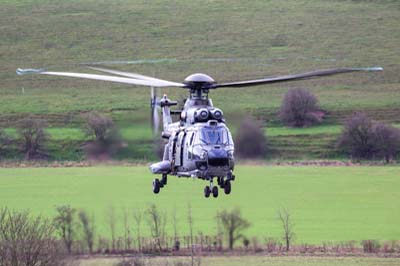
307,75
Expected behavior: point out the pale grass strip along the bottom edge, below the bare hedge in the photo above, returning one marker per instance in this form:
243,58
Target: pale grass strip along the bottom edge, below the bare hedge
262,260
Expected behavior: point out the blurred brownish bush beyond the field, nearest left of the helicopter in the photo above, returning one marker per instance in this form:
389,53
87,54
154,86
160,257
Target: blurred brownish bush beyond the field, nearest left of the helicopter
106,136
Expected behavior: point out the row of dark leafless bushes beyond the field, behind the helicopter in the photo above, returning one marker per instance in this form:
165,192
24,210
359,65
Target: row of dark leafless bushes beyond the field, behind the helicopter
361,137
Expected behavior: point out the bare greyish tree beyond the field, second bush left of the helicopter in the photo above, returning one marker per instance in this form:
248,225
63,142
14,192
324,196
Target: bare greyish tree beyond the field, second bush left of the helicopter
32,137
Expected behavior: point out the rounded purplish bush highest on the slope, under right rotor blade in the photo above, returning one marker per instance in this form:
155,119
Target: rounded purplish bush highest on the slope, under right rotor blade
299,109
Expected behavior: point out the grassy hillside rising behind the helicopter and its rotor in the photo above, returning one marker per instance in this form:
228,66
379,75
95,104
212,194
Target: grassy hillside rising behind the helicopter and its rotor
253,39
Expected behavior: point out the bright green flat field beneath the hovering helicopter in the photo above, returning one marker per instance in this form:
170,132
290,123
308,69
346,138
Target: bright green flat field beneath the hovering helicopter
327,203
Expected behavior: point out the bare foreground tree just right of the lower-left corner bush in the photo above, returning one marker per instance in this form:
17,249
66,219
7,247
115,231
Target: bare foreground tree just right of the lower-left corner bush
65,225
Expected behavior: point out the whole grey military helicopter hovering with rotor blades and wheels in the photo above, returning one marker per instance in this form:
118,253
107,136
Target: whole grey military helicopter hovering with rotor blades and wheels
200,144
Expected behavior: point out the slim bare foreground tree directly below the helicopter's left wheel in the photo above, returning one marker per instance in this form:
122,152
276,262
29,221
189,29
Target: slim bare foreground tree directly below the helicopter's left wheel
156,221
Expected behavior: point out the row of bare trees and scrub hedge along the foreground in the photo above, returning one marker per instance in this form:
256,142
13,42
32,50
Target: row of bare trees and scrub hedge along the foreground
26,239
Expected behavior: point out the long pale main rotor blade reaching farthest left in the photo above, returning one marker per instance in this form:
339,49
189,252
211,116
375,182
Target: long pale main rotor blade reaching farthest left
100,77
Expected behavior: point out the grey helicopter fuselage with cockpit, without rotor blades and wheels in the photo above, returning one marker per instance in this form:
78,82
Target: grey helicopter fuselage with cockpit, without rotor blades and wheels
199,144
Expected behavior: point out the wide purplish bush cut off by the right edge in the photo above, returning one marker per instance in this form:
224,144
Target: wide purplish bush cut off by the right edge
364,138
